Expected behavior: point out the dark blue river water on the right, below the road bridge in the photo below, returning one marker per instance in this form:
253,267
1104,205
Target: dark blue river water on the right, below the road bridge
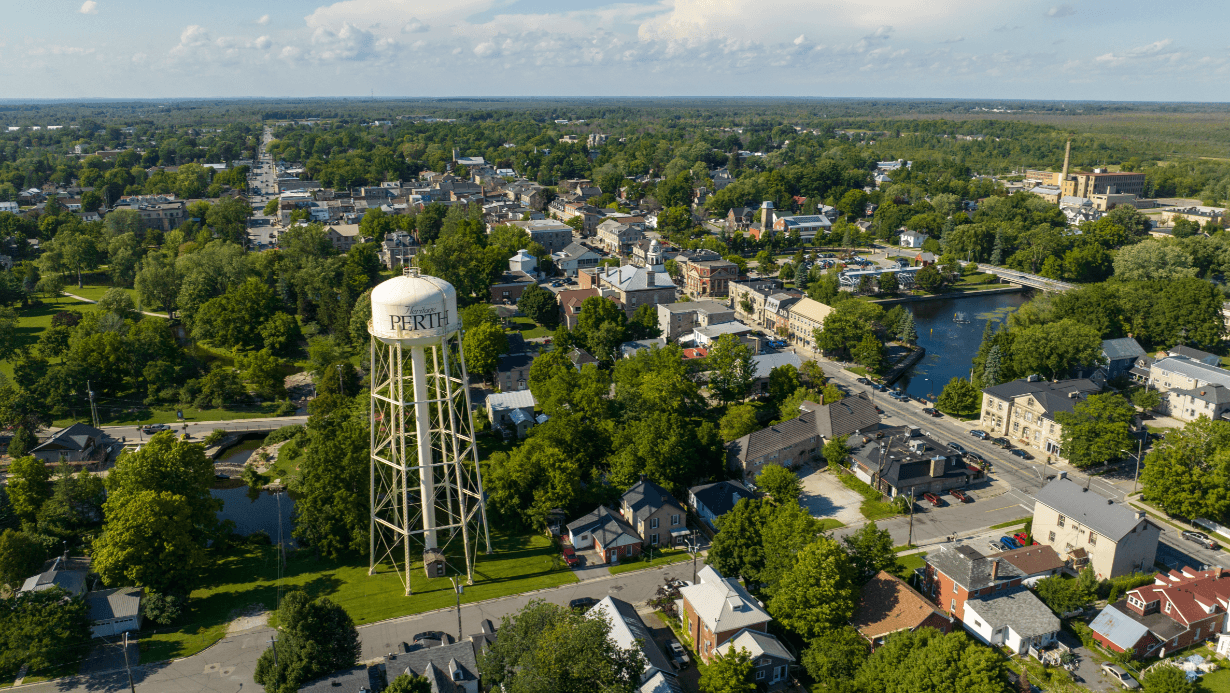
953,346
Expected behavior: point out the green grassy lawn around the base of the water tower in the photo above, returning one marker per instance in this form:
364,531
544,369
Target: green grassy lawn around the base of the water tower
248,577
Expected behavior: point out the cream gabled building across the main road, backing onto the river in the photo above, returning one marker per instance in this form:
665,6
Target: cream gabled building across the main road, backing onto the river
1025,412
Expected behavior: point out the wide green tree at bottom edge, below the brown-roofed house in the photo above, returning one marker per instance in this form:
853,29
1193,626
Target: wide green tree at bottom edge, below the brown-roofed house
927,660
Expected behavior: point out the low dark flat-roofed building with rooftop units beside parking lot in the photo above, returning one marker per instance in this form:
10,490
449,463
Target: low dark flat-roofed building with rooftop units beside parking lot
903,461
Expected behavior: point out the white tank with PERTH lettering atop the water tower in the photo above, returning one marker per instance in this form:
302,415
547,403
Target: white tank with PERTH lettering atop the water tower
414,310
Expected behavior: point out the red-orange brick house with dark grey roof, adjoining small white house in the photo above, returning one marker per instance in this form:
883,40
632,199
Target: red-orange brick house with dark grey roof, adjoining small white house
959,573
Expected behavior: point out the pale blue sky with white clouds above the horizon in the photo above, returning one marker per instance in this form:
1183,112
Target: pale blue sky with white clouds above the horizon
1049,50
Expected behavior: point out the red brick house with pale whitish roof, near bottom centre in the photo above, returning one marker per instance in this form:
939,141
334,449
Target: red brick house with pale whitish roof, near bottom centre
716,610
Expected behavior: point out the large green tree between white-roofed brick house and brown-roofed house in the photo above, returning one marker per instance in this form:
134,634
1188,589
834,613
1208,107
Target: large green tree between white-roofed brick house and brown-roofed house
819,593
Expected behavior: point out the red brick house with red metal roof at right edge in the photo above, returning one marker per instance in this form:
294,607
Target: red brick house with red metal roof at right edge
1176,611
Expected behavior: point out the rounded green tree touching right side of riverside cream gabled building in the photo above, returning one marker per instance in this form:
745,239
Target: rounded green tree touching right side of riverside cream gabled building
1098,430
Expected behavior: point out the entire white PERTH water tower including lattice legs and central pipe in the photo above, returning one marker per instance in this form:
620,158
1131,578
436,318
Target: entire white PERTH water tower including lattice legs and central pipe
426,484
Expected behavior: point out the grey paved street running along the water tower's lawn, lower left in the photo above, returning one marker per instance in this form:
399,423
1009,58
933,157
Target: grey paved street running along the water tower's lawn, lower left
228,667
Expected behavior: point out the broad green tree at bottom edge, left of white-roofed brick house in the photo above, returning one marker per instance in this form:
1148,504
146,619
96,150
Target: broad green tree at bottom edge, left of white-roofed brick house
548,648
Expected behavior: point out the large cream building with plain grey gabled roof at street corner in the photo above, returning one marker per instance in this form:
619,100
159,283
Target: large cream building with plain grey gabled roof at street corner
1085,529
